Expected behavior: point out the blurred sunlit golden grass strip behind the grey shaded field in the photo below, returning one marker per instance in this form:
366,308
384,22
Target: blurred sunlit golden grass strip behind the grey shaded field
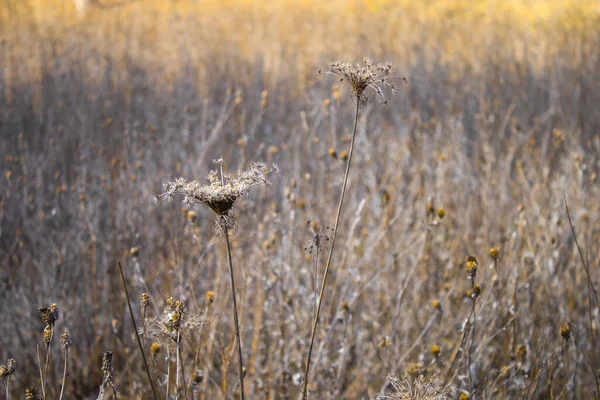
169,36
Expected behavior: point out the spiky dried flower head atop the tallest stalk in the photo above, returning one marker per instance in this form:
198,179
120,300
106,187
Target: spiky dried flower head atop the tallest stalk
362,76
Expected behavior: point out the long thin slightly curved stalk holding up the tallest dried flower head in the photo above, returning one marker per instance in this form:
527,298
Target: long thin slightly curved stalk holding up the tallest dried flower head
327,266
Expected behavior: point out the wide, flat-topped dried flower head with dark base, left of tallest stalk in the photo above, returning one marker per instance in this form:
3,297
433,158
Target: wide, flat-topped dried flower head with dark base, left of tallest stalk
222,190
